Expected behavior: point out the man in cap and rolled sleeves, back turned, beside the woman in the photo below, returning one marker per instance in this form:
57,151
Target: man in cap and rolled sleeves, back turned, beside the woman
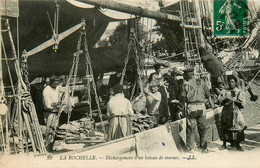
195,94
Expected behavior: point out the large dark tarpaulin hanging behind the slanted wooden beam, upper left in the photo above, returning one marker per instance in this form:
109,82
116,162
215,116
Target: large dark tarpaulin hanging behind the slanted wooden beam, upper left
35,29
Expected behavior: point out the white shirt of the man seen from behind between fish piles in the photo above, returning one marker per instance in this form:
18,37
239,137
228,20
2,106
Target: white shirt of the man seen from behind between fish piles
119,105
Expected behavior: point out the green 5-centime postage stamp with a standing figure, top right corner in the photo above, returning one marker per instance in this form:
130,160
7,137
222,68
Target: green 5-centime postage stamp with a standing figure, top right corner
230,18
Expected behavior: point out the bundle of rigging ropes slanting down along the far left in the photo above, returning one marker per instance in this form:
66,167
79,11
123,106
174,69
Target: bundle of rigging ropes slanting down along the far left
23,108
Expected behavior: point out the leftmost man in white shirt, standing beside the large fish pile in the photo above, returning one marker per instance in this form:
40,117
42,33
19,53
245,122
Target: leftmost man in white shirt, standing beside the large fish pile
51,103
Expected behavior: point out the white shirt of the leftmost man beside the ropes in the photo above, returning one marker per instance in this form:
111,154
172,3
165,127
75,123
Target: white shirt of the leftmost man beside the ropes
50,96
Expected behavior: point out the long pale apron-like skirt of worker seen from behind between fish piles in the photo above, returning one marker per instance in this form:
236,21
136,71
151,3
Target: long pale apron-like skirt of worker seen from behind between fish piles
119,127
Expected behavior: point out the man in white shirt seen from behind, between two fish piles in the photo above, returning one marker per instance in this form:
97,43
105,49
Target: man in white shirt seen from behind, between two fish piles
119,110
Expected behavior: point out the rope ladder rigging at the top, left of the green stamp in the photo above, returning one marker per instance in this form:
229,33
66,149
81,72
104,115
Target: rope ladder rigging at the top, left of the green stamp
192,28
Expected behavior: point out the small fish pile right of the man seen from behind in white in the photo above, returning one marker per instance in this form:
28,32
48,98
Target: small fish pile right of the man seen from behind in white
141,123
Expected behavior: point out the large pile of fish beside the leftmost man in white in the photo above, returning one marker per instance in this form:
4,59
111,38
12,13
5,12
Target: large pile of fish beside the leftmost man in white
79,131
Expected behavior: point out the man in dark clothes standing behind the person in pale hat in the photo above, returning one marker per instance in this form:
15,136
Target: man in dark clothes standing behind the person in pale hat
163,109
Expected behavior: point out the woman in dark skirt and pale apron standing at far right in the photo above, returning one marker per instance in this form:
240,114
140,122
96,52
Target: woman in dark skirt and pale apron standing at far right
232,121
